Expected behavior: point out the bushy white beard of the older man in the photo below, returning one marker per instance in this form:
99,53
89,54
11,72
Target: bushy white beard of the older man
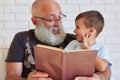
46,35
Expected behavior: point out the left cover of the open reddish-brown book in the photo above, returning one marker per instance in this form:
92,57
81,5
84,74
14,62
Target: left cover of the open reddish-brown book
49,61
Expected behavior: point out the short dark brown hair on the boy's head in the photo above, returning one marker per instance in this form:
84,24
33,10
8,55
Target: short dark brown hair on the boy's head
92,19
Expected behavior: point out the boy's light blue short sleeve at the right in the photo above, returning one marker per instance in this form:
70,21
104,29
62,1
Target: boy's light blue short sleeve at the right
103,53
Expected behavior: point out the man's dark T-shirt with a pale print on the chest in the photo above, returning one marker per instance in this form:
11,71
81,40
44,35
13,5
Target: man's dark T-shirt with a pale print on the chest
22,49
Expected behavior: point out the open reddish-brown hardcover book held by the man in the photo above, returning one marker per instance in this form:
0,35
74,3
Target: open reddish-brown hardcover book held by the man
62,65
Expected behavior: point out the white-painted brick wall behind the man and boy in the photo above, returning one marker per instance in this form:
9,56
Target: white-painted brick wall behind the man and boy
15,16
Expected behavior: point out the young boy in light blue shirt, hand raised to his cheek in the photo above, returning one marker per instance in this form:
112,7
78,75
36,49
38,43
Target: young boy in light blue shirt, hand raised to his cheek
89,24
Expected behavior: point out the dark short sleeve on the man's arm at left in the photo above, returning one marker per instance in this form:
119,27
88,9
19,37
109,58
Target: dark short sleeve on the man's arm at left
16,50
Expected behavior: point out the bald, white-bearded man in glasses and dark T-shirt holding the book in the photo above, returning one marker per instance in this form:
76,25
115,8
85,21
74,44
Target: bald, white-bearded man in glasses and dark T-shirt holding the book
46,16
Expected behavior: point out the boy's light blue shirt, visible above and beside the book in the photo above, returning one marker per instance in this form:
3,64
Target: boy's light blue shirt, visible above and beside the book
102,50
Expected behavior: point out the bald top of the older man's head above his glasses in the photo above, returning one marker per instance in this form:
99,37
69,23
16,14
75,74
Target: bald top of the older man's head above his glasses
44,7
